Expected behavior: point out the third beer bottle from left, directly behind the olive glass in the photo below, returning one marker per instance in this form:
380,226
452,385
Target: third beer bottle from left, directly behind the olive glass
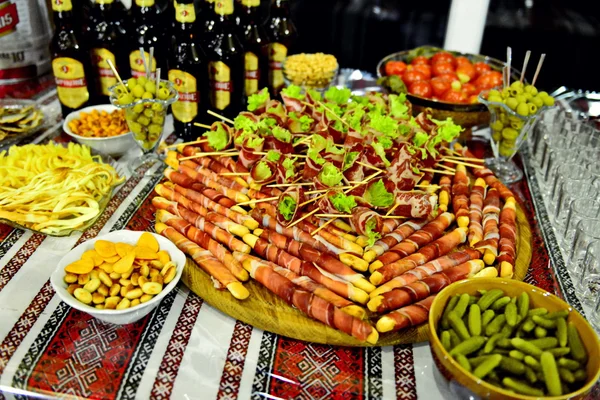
147,32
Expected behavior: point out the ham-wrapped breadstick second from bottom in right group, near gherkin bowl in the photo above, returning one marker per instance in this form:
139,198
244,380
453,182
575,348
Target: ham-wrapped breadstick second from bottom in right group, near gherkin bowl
419,290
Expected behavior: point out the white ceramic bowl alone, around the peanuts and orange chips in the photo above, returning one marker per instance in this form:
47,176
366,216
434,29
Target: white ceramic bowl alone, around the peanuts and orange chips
119,317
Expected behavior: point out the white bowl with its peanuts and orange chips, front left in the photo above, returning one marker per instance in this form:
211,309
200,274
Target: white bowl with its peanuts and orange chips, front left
119,277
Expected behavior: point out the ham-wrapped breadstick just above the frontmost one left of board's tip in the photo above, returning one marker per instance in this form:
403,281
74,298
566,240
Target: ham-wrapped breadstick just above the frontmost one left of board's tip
306,283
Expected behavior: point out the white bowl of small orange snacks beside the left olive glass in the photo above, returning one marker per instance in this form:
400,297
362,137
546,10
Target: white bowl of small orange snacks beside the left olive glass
101,127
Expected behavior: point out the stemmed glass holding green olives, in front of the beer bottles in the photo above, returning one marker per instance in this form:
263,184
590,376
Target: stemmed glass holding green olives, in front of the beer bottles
146,121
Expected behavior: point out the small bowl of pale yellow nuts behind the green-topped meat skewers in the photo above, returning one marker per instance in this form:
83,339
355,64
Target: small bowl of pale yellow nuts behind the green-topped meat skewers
310,71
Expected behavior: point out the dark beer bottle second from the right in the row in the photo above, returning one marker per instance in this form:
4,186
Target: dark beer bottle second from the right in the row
256,47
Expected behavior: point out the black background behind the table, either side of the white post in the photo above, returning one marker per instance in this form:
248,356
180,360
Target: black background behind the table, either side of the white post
361,32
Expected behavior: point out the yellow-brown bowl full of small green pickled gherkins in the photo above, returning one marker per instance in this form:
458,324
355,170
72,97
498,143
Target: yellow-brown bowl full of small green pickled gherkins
504,339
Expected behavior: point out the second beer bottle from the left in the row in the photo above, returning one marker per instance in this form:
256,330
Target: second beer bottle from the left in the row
107,44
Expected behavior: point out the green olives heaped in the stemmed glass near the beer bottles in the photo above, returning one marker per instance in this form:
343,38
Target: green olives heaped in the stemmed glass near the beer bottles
146,102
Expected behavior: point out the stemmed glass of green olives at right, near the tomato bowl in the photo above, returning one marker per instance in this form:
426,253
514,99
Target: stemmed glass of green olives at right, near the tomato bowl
507,142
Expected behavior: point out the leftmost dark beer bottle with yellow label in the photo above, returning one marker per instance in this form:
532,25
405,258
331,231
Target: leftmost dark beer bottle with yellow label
70,63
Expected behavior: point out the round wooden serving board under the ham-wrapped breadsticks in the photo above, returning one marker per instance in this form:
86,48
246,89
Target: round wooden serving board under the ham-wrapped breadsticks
266,311
